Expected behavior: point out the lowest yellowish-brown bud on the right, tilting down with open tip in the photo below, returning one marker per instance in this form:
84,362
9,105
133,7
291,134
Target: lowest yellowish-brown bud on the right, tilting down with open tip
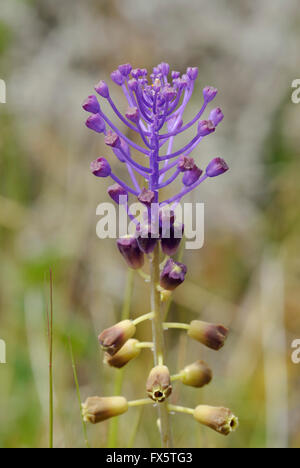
219,419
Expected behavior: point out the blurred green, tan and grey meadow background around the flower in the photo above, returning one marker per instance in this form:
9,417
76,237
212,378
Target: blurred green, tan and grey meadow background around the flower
52,52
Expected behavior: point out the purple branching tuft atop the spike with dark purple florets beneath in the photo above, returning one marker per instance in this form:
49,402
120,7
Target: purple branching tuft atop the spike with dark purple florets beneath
155,116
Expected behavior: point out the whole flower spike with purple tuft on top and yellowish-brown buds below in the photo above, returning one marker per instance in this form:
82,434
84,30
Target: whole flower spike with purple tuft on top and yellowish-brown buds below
156,104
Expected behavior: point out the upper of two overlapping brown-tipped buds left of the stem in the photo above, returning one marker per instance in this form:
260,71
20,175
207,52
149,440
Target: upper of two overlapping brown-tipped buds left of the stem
112,339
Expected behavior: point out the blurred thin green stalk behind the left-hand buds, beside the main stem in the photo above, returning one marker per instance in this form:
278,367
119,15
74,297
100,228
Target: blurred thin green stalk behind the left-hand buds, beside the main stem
118,384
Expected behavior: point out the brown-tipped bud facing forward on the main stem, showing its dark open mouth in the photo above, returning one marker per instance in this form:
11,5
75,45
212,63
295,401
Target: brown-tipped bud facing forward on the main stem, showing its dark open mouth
159,384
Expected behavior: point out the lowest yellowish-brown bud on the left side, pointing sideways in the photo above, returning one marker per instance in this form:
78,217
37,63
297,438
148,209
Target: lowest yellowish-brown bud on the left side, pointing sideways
97,409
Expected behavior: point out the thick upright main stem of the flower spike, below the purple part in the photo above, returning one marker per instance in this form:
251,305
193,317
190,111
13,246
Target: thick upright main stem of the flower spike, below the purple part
159,346
